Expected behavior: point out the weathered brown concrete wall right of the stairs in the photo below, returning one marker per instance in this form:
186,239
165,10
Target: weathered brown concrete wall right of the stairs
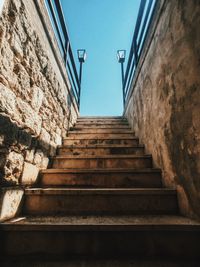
164,107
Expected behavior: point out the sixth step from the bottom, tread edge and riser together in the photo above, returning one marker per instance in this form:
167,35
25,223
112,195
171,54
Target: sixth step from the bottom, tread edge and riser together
100,141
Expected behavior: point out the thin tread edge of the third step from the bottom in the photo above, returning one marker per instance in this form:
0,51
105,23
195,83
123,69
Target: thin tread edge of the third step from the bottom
57,170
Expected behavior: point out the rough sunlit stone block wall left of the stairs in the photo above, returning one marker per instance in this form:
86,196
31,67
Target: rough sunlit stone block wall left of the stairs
36,107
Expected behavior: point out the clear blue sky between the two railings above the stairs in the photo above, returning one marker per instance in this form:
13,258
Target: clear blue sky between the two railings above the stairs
101,27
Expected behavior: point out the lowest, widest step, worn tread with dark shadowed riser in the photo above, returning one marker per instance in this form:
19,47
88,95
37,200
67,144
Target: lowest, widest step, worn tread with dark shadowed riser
133,237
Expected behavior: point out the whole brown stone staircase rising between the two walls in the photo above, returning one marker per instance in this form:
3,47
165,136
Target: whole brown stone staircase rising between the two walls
102,198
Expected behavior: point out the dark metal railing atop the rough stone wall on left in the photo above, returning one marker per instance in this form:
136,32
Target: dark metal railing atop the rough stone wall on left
58,23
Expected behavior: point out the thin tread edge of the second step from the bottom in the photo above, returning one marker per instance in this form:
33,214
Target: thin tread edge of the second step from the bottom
86,191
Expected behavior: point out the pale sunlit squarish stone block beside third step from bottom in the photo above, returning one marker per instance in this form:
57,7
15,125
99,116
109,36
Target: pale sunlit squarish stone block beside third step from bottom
30,174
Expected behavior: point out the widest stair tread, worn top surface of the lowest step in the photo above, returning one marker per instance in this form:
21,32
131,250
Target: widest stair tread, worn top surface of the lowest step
126,222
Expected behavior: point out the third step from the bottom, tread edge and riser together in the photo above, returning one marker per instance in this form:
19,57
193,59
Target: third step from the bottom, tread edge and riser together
101,178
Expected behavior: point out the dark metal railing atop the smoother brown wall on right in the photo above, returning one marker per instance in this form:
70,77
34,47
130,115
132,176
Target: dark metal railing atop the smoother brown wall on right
145,14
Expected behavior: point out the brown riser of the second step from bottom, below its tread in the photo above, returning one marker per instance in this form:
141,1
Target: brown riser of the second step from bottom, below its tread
99,204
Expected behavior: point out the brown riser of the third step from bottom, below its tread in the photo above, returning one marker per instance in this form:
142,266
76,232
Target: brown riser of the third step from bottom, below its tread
150,180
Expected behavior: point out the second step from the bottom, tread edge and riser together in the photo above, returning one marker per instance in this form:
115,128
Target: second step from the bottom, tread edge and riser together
104,201
